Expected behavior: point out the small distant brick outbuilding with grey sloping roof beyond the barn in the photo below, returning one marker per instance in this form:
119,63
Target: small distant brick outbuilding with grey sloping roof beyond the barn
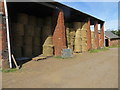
111,39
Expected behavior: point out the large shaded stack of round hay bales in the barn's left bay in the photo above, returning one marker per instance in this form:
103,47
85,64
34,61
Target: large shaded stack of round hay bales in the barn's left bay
26,32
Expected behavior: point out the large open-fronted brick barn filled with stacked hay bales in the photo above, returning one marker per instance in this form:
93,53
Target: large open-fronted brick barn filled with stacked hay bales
45,28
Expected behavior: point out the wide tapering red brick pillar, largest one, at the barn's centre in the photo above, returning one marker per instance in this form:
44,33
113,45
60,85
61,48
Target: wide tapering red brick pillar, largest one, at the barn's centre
59,38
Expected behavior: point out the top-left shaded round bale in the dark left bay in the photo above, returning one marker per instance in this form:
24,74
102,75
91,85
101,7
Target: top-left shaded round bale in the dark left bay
22,18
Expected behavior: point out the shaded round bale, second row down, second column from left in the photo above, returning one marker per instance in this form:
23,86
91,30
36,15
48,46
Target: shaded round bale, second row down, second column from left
29,30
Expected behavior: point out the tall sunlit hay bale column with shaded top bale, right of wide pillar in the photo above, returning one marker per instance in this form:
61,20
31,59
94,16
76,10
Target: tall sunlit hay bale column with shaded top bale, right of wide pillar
78,40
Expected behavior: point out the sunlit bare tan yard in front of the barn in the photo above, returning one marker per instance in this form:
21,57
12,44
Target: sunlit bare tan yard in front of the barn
87,70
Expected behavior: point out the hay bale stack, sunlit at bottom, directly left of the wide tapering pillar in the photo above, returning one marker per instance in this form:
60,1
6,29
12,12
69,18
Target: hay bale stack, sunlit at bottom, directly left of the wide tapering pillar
47,38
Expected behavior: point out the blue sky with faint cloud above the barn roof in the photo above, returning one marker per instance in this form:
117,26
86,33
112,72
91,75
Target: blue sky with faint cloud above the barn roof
106,11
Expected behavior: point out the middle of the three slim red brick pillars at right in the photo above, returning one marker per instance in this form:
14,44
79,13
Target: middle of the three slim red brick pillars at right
96,34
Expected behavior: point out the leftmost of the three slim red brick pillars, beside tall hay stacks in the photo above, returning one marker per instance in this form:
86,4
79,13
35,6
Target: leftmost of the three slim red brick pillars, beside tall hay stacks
89,44
